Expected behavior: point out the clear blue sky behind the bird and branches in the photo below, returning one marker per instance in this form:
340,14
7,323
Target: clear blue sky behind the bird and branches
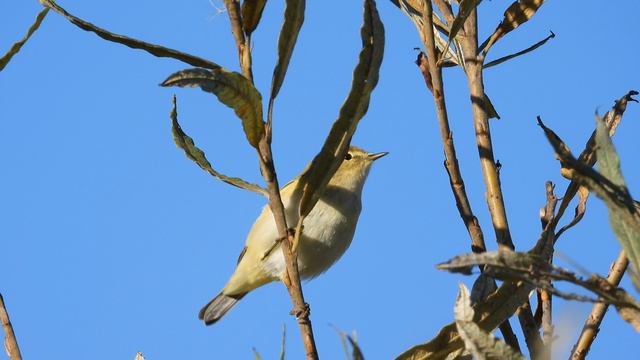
112,240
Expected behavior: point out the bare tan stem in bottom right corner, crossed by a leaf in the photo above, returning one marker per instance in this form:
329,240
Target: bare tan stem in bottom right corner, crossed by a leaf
592,325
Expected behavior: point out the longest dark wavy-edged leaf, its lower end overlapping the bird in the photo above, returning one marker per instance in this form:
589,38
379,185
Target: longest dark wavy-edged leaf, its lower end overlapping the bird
365,78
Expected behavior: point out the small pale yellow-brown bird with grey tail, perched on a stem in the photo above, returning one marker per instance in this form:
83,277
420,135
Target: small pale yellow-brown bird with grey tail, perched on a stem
327,233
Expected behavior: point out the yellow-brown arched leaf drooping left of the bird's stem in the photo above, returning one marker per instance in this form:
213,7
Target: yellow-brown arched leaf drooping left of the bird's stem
233,90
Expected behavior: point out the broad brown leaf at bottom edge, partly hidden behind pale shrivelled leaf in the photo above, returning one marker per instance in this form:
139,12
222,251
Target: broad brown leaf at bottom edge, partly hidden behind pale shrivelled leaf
488,314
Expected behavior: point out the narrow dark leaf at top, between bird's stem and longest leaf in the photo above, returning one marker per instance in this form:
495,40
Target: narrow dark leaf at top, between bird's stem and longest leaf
293,19
